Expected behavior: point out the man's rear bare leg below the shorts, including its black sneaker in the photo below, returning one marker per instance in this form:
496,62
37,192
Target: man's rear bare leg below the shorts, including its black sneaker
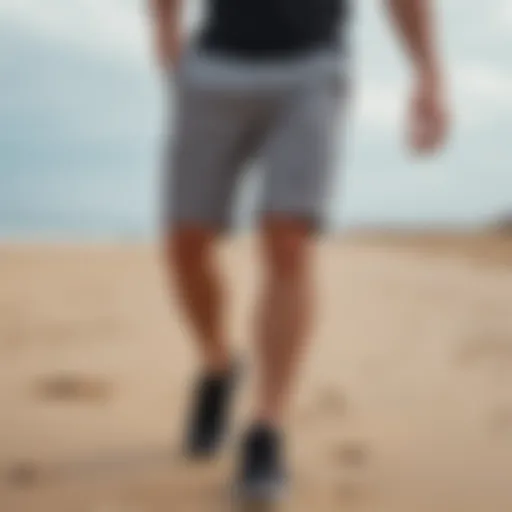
190,252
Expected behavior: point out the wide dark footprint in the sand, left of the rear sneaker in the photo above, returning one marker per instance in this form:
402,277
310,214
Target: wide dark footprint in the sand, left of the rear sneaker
68,387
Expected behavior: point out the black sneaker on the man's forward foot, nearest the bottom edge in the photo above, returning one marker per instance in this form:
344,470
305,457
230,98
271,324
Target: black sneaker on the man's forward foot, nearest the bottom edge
262,476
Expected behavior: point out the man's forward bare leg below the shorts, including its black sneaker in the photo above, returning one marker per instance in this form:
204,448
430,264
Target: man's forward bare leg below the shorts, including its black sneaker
283,320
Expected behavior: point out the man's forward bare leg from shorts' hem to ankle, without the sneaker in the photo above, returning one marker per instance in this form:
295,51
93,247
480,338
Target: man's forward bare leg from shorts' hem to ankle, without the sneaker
285,311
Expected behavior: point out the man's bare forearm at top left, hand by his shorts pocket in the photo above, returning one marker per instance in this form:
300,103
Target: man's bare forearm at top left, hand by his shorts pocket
167,18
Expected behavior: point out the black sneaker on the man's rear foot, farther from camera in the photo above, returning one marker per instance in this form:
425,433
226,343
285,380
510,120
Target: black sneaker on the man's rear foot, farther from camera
210,414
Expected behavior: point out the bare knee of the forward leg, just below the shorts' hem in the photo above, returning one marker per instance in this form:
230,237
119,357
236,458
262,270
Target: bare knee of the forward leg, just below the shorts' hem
286,248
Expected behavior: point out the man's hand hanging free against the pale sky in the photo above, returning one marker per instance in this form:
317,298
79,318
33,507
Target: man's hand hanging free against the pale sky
428,119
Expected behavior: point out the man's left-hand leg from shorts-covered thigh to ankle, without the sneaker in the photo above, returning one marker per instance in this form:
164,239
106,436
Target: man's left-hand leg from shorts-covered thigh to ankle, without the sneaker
214,136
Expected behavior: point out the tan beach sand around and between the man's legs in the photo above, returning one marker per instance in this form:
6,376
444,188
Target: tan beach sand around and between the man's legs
405,402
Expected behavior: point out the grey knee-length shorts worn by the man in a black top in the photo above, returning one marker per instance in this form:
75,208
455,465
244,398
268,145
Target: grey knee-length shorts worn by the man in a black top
228,114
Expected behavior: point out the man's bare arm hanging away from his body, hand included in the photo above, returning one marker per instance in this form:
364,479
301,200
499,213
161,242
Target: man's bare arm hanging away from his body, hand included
414,20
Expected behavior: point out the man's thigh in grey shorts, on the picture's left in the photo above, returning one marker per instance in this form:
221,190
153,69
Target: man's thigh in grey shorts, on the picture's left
213,136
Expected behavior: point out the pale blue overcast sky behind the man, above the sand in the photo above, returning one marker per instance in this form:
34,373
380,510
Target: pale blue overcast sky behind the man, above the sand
80,95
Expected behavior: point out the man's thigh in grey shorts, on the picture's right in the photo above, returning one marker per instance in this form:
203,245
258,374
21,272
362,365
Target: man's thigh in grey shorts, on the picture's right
299,154
